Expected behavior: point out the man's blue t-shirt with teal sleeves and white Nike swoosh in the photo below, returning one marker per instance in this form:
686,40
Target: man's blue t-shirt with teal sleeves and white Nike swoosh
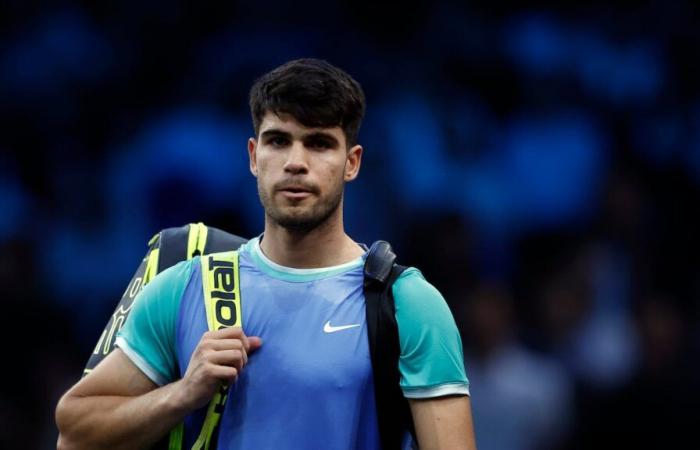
310,384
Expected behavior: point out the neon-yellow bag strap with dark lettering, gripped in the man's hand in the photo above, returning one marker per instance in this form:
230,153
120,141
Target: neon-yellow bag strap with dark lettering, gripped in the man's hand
222,302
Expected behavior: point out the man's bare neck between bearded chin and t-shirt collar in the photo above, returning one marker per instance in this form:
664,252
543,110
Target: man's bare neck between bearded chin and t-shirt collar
324,246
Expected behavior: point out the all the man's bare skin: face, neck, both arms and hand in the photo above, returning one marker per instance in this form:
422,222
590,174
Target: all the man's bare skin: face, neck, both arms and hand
301,173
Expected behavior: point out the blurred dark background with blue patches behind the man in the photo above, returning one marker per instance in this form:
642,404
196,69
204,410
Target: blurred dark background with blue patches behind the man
540,164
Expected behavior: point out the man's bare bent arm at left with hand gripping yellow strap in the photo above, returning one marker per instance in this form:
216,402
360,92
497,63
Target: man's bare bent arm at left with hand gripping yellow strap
117,406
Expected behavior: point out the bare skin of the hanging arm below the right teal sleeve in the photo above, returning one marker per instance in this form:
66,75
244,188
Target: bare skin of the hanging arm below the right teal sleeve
443,423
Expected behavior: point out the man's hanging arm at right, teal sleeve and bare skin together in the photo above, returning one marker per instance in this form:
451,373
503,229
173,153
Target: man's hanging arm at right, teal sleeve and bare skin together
433,376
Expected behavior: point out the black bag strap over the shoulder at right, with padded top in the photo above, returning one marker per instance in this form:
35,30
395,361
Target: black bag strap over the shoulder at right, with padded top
393,413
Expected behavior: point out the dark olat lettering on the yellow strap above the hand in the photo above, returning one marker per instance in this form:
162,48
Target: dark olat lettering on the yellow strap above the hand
223,292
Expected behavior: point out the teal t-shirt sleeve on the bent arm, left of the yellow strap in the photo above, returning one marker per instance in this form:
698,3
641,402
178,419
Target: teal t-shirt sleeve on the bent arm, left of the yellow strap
148,336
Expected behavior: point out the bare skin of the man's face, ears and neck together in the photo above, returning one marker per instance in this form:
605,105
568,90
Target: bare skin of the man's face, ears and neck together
287,154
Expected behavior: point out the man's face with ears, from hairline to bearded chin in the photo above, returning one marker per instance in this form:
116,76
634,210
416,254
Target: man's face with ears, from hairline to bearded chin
301,171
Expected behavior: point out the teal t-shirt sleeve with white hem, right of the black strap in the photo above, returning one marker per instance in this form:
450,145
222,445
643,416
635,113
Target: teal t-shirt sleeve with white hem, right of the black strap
431,361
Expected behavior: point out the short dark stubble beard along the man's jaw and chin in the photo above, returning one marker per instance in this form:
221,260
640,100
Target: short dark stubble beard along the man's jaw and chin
306,220
